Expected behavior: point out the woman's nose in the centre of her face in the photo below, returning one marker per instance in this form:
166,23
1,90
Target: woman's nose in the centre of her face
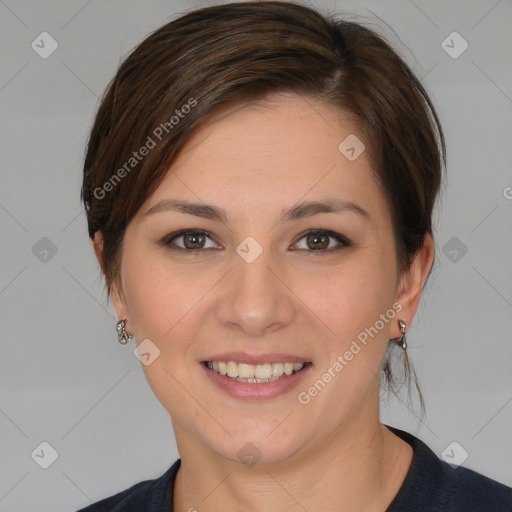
255,297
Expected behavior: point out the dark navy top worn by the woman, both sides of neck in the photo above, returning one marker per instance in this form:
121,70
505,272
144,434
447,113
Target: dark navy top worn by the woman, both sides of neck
431,485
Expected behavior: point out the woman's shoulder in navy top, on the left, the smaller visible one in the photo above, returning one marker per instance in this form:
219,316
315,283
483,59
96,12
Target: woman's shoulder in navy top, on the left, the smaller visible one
154,495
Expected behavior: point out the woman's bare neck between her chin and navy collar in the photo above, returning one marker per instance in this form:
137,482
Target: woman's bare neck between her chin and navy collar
360,468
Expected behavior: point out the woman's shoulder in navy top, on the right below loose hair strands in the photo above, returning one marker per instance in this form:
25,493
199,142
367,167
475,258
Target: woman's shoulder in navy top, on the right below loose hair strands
433,485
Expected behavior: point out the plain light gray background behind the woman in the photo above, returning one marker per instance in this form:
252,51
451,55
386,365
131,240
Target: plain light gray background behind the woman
65,379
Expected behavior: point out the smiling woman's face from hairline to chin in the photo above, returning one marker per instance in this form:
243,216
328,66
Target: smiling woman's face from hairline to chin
251,284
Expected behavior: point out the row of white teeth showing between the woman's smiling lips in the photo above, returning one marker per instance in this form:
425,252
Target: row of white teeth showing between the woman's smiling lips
254,373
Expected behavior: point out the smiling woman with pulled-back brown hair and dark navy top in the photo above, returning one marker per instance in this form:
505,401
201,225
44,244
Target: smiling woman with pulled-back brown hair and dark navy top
259,185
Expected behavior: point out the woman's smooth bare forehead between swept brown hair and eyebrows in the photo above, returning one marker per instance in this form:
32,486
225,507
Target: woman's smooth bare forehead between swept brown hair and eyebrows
282,149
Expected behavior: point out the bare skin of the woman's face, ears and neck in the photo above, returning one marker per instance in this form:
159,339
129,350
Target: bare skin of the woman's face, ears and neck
254,161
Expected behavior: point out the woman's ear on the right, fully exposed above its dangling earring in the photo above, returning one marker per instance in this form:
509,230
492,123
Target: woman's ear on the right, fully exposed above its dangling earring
412,282
